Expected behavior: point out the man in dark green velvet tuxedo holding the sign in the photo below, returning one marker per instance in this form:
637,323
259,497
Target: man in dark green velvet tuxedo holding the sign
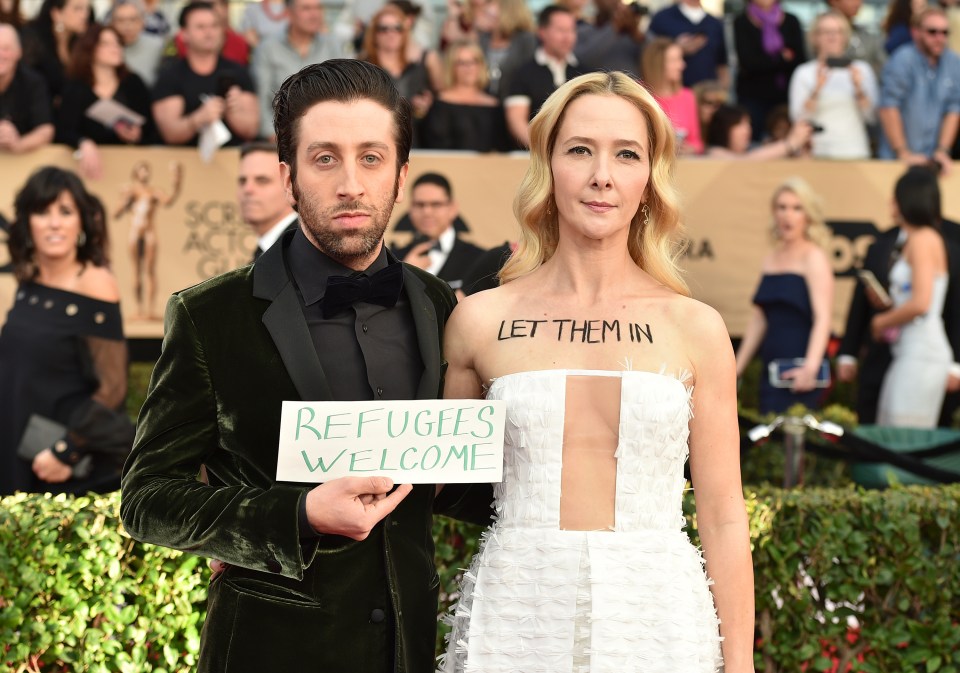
339,577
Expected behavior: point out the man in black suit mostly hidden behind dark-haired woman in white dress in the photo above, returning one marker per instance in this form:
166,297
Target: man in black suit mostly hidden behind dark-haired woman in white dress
862,358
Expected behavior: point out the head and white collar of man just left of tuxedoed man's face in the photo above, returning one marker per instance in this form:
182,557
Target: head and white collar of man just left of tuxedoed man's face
263,201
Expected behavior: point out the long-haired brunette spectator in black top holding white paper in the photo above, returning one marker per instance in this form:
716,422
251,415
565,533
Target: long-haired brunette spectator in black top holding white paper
98,73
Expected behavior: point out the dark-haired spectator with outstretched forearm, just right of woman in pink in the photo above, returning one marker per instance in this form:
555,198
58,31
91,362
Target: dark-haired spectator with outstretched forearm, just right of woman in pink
730,131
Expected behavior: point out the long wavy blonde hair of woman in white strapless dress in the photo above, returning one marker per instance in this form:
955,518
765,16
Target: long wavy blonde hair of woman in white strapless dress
655,245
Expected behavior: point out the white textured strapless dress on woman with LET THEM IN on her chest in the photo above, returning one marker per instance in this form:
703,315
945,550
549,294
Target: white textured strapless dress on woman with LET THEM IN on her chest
539,599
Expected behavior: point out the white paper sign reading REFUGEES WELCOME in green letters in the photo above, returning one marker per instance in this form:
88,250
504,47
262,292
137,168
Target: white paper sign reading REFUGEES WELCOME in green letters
410,441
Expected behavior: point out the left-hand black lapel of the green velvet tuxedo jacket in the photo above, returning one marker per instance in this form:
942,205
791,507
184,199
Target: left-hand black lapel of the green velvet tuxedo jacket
286,324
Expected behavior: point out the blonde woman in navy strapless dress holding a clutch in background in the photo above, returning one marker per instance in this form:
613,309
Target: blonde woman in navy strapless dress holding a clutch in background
790,322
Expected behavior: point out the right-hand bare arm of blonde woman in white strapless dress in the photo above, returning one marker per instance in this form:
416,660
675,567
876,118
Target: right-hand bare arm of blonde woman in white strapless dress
715,471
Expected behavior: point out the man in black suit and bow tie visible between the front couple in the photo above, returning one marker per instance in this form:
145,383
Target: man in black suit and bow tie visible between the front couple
436,247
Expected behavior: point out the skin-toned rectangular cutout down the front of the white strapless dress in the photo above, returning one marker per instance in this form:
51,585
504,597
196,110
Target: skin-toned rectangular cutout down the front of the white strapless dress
591,434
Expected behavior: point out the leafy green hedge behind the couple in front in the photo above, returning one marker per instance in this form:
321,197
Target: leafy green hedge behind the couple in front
77,594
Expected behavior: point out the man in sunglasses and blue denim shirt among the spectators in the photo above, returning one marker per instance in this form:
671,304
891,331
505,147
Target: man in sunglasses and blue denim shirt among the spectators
920,96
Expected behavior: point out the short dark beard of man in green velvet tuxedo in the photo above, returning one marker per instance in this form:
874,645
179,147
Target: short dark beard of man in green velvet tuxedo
345,247
